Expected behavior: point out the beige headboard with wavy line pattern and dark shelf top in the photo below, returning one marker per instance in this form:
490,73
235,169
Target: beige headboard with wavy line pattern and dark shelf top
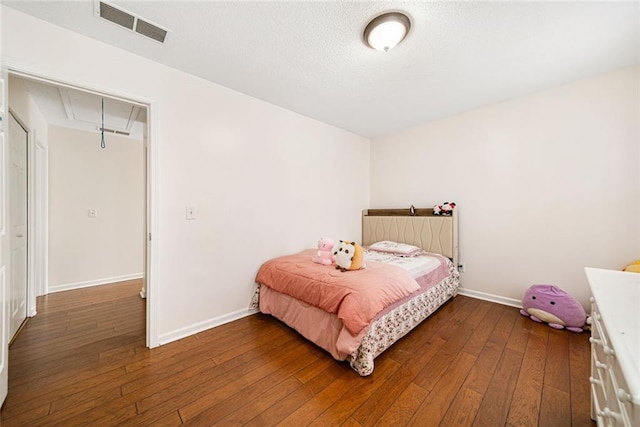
433,233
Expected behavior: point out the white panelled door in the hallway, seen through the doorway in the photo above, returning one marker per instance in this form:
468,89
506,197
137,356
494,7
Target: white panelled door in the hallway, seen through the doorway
18,228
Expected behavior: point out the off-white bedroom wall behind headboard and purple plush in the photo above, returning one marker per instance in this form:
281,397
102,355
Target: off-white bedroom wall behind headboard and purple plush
546,184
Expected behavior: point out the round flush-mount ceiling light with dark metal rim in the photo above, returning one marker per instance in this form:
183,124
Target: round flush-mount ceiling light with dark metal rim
384,32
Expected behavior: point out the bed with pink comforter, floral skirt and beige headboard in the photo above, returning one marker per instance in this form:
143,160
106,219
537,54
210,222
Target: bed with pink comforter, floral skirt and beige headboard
433,274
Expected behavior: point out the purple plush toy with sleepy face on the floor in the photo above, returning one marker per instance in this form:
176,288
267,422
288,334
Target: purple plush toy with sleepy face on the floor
552,305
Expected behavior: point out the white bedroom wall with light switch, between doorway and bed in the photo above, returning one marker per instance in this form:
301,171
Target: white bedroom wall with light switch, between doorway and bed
262,179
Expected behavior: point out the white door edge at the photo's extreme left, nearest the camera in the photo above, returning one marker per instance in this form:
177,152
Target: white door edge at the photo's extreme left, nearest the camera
4,244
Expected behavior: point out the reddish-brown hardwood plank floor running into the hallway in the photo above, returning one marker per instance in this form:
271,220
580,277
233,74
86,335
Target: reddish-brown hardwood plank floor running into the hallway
82,361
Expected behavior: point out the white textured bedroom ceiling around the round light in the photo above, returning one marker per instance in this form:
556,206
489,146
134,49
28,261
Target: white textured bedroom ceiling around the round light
308,56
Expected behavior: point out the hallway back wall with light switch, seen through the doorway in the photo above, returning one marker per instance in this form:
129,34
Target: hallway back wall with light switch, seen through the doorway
84,250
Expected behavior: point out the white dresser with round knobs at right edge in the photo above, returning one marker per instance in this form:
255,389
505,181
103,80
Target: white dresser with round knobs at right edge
615,347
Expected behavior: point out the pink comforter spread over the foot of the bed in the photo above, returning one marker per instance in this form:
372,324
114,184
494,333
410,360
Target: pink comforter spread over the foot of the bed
355,296
